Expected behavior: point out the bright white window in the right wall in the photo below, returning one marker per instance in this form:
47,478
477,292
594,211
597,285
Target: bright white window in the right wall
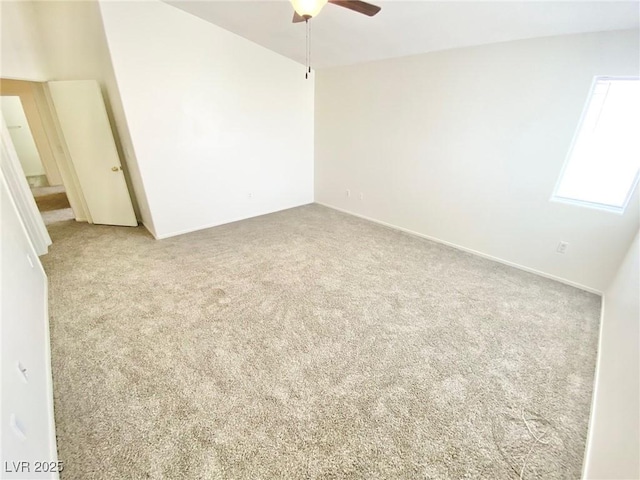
603,165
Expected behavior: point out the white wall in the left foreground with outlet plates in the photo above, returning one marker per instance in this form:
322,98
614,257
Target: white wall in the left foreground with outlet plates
27,422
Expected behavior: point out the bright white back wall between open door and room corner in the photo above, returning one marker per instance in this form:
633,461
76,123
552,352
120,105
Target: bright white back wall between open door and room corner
222,128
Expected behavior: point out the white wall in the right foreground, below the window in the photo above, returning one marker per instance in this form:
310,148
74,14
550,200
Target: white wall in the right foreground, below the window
613,449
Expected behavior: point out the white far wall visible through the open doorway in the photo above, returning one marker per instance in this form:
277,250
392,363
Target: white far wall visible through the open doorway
21,135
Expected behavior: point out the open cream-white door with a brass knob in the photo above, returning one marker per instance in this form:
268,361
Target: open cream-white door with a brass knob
87,133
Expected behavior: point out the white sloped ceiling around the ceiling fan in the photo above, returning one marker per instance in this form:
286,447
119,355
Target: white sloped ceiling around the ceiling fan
342,37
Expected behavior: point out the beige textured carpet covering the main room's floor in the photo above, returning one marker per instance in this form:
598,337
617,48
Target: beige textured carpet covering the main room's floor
311,344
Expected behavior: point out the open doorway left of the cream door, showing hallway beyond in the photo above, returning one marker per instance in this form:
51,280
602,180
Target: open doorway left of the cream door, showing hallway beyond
45,184
